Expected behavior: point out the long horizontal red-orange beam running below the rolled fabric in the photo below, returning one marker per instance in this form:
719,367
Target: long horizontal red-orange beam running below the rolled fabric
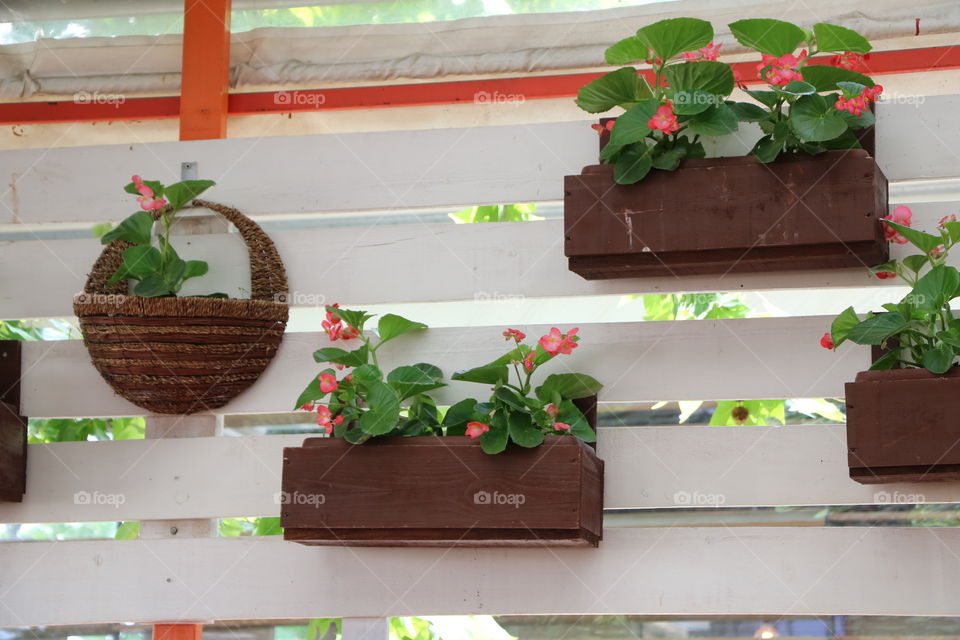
531,88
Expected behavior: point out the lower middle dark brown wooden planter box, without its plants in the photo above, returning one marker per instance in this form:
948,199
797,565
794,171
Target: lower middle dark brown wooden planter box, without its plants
442,491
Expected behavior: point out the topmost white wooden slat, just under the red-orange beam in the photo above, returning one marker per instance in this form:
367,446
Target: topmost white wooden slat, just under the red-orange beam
384,170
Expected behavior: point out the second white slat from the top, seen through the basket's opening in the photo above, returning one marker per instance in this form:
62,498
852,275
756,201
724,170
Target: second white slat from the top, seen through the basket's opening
403,263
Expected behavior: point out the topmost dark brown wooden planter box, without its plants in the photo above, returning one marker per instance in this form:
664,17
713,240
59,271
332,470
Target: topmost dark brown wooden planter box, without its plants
728,215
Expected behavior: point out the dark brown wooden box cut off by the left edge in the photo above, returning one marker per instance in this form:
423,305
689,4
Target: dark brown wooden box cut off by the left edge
13,427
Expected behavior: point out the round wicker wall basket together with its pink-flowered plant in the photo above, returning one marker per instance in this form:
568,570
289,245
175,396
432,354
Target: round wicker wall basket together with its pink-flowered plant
169,353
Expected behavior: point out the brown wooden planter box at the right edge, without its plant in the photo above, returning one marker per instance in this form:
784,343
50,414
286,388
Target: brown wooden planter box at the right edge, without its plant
903,425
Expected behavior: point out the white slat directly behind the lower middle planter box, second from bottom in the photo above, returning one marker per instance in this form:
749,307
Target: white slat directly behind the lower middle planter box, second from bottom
646,468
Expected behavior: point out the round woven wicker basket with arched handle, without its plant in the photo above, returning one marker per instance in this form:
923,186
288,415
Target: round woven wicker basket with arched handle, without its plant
191,354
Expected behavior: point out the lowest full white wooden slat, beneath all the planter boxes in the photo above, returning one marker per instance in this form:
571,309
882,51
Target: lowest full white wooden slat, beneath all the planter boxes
742,571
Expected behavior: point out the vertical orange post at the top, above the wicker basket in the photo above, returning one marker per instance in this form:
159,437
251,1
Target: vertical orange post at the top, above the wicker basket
205,76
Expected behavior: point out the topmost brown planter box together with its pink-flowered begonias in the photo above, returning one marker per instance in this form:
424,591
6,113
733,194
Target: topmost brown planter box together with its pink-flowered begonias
807,197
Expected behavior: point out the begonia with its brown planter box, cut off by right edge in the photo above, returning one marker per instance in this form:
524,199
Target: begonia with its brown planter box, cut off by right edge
902,414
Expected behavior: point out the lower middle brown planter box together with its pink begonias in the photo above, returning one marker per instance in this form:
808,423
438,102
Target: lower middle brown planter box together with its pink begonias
543,487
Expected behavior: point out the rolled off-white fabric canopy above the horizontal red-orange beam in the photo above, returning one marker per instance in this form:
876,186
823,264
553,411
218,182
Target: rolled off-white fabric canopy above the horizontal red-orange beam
335,56
